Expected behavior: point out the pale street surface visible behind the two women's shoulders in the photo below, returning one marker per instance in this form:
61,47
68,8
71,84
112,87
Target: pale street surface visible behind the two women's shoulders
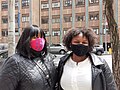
107,57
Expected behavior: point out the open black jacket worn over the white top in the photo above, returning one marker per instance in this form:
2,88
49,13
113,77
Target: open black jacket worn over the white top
102,78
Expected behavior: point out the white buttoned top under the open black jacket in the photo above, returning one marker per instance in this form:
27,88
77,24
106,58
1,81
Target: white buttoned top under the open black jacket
77,76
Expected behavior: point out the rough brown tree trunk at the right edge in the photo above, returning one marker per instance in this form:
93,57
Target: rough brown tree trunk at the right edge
114,33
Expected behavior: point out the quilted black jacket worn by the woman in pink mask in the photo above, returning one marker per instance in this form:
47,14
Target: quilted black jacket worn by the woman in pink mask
19,73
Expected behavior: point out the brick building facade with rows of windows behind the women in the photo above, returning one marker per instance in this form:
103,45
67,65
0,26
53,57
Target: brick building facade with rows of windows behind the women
55,17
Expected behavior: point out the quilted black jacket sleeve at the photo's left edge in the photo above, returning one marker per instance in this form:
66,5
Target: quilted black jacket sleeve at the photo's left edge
9,74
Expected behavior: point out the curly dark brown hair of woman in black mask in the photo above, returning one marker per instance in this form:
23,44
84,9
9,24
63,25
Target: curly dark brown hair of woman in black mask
88,33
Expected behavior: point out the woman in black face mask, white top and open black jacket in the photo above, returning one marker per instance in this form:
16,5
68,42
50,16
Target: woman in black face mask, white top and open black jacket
81,69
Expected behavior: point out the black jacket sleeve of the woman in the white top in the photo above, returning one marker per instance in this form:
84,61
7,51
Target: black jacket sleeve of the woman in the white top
110,82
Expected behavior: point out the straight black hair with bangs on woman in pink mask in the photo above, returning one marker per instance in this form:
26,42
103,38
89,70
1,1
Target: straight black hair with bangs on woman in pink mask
23,45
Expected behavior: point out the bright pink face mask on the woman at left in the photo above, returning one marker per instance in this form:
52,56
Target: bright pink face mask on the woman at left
37,44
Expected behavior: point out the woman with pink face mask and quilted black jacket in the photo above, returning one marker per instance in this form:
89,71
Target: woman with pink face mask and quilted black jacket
31,67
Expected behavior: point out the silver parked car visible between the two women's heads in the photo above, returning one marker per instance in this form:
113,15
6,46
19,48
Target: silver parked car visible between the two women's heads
57,48
